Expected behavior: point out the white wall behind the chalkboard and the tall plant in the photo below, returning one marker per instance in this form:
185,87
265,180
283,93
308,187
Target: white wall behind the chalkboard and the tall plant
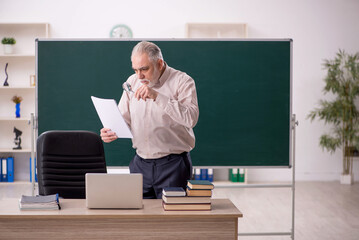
318,27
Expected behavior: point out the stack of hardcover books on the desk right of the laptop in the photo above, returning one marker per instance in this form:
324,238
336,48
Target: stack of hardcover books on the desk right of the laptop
198,197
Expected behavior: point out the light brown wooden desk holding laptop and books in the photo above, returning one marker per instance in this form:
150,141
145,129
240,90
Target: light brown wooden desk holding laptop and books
75,221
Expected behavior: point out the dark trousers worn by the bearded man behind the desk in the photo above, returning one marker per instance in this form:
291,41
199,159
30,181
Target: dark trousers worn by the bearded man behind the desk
170,171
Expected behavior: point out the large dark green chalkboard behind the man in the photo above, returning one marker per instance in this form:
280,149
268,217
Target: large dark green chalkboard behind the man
243,87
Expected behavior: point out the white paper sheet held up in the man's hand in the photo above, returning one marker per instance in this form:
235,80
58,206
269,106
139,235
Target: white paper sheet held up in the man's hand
111,117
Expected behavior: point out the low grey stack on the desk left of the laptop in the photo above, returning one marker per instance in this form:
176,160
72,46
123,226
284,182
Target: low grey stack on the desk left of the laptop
49,202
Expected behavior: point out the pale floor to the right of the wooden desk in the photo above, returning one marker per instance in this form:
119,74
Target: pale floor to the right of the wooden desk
323,210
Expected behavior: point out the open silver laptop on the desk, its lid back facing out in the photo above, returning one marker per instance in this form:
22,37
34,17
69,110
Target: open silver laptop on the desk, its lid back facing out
113,190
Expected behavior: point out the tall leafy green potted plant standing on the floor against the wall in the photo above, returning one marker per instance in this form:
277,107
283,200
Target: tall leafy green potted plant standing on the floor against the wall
342,80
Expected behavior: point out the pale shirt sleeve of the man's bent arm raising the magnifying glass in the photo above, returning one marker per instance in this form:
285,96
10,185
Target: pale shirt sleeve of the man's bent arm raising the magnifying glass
184,110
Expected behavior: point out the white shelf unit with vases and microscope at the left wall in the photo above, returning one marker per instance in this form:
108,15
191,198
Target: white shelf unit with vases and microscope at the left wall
21,64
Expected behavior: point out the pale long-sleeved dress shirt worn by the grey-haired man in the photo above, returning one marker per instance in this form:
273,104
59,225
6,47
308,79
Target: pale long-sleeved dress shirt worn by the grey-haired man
163,126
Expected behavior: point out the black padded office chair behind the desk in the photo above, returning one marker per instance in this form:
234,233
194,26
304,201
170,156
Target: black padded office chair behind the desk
63,159
